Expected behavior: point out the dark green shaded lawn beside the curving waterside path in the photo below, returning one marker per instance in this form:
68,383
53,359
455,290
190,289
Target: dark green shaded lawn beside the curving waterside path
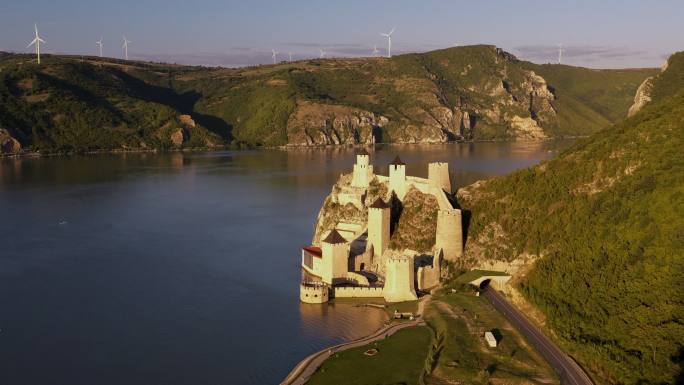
401,359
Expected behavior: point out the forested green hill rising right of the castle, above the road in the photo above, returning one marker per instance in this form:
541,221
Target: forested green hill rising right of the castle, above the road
607,219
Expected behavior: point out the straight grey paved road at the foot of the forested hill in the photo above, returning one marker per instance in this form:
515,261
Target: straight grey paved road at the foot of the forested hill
567,368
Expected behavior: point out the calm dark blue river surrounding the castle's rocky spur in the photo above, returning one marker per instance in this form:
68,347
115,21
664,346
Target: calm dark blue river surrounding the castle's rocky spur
182,268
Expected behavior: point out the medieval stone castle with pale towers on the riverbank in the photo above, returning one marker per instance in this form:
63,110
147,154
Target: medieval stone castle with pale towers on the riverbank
355,260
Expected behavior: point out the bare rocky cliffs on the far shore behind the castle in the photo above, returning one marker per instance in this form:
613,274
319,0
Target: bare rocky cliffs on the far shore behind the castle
500,108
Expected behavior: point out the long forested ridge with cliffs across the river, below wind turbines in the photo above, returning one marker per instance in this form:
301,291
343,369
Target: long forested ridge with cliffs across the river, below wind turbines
461,93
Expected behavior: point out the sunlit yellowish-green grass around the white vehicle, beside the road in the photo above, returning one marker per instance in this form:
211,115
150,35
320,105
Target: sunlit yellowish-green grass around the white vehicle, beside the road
459,321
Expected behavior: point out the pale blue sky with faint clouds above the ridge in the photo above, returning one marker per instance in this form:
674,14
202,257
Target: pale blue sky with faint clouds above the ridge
601,34
